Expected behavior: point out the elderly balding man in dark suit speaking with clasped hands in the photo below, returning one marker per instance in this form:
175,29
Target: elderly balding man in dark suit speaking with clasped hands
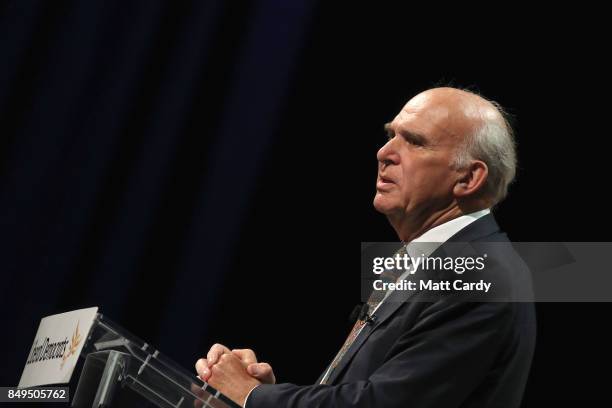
449,158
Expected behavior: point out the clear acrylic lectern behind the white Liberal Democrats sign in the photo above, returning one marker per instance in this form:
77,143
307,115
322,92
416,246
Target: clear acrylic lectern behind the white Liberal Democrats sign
121,370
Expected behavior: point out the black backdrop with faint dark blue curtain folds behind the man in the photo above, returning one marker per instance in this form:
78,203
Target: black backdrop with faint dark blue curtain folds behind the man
203,171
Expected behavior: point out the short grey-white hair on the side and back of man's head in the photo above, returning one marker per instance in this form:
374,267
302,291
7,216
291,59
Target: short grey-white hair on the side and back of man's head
493,143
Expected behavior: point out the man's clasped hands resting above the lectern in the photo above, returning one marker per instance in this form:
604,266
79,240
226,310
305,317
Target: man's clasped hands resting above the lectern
235,373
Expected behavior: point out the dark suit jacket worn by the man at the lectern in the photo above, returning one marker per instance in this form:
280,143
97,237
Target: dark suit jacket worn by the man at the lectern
442,353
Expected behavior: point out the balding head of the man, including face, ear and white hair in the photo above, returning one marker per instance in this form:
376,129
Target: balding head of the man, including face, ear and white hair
446,147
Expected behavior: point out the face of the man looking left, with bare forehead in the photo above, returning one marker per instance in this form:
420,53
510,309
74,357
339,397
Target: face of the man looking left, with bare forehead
415,172
